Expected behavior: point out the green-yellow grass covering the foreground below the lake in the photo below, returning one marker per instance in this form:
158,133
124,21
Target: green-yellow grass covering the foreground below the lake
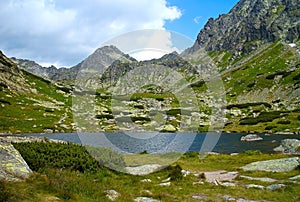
68,185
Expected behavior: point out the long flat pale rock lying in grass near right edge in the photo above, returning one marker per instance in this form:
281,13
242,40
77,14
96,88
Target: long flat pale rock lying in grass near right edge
278,165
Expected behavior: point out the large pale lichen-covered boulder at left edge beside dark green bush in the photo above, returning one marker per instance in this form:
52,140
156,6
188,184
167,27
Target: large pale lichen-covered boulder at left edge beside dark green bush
12,166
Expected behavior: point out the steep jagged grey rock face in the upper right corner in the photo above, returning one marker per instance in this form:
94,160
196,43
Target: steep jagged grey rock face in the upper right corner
250,23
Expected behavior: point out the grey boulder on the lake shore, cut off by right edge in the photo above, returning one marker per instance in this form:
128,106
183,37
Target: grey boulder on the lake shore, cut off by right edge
289,146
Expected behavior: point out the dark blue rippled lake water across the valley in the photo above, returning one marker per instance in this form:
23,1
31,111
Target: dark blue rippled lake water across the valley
168,142
